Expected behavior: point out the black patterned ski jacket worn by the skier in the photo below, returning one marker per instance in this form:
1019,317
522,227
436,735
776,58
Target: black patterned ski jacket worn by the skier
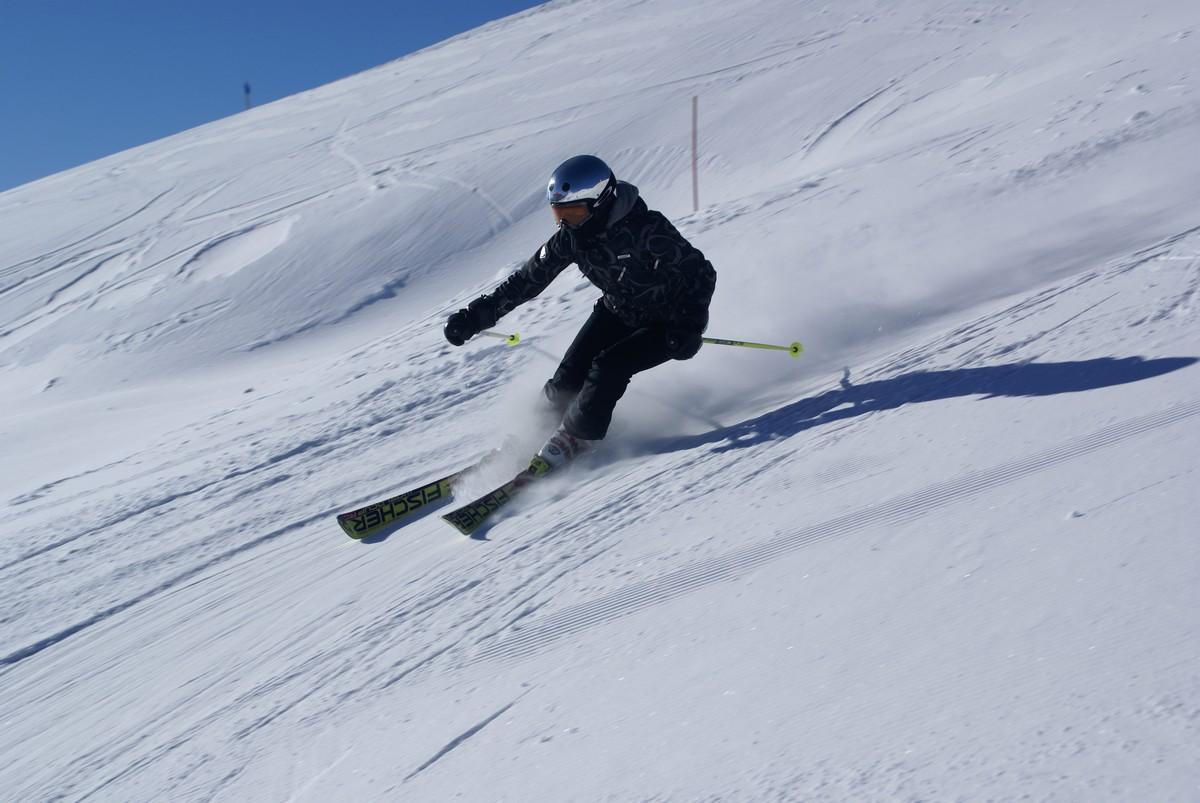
650,274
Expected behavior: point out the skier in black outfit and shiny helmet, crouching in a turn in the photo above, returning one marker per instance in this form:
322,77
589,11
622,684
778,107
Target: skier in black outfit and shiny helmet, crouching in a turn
657,289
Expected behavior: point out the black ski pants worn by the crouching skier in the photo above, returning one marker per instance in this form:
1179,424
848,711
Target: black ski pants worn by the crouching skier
597,369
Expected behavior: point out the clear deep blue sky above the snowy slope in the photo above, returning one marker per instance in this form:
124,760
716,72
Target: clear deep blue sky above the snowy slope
85,79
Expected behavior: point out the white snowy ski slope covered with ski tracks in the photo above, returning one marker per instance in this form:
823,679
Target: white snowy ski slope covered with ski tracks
950,555
